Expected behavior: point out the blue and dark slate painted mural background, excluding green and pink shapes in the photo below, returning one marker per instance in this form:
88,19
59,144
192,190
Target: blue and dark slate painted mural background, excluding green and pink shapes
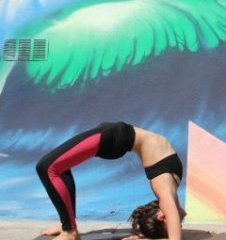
161,94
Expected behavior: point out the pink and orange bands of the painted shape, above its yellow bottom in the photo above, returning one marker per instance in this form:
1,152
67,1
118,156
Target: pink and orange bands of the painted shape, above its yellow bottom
206,168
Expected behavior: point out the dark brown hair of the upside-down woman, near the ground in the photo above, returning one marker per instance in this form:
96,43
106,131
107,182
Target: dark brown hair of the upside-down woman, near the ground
144,221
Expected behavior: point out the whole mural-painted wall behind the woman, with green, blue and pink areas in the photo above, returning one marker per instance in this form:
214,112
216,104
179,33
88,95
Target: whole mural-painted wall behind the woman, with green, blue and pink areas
155,64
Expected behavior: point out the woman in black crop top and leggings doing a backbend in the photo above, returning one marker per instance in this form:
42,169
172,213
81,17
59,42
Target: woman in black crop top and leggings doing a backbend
111,141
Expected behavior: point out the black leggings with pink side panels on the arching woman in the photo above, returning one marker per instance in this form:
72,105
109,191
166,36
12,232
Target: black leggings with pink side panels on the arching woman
108,141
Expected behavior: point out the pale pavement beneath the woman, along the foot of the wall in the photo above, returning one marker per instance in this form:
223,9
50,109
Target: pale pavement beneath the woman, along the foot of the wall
95,230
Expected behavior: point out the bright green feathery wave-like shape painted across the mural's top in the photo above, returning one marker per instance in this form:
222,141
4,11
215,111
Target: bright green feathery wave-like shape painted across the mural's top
104,37
